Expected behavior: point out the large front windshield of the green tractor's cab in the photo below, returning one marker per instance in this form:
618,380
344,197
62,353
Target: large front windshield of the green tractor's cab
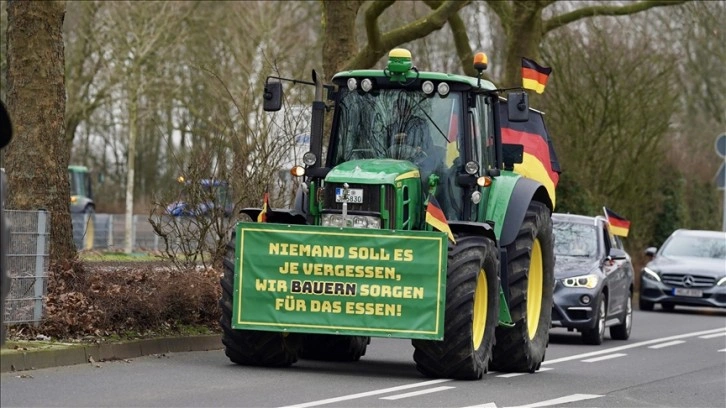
398,124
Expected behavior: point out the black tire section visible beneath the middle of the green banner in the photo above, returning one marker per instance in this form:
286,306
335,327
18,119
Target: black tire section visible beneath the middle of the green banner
330,347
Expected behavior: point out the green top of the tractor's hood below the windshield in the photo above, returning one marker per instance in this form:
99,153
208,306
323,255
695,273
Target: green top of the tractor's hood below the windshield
373,171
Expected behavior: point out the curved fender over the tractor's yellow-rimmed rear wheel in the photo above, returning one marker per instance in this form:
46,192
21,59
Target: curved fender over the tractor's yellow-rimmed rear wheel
524,192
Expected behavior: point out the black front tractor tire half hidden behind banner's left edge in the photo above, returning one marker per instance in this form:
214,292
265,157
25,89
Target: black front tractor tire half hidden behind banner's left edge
252,347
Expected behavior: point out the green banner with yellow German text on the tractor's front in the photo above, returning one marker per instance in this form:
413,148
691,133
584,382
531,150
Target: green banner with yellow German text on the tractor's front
312,279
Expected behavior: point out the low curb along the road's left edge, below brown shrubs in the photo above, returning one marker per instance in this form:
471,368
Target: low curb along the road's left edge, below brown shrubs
82,354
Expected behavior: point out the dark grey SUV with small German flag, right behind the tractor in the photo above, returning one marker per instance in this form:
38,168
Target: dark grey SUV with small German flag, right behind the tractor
593,279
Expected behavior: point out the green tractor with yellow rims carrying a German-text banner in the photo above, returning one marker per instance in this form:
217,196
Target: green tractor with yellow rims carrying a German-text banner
416,221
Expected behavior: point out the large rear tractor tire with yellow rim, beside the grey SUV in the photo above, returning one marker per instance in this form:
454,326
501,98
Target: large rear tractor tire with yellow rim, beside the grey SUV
530,274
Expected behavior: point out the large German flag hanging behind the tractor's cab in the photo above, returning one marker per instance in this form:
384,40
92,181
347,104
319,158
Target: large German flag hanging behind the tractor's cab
539,160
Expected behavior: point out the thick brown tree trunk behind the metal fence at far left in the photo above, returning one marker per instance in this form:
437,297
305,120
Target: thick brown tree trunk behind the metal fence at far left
37,159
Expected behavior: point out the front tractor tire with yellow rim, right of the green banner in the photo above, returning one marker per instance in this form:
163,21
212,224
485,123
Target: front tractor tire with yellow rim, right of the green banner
471,316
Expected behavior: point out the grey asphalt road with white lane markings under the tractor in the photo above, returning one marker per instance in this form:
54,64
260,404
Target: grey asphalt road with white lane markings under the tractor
671,360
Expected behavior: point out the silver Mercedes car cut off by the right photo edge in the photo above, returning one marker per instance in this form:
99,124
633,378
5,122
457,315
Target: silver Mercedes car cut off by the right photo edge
688,269
